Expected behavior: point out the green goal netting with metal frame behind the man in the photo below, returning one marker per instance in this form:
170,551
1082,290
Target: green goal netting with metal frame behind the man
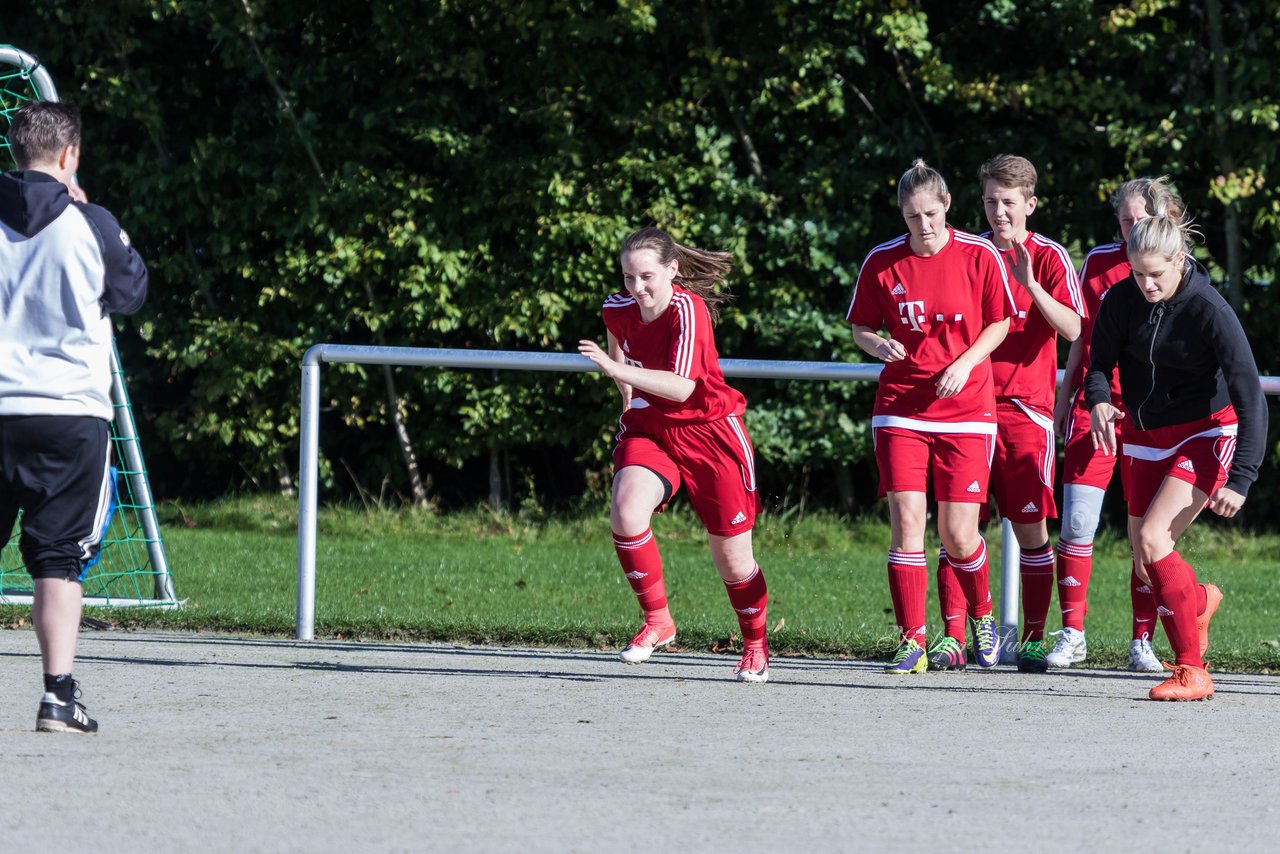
132,569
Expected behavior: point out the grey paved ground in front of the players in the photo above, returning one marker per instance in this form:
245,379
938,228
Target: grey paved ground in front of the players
236,745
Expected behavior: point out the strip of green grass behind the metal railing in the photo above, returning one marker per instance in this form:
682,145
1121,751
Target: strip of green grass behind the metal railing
484,578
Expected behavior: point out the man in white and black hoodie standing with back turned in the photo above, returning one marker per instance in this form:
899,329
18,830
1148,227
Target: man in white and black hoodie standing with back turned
66,267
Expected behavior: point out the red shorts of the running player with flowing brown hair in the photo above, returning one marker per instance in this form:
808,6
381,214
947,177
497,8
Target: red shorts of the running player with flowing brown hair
715,462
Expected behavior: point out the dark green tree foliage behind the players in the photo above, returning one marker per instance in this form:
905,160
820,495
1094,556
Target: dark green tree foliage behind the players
460,173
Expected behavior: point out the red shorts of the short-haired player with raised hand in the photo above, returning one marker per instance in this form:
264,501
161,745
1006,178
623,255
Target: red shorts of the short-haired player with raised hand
1022,472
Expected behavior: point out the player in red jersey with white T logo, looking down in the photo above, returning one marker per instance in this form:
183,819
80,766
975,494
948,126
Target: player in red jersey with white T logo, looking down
945,300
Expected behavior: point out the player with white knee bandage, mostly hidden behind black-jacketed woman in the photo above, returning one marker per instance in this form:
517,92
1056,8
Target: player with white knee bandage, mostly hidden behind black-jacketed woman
1086,473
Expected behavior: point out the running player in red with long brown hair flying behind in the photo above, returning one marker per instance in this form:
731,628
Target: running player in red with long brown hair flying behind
680,423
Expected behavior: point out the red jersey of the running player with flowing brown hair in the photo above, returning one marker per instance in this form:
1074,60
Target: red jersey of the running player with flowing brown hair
679,341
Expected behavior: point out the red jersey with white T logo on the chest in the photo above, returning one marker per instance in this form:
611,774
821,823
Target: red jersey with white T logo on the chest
936,307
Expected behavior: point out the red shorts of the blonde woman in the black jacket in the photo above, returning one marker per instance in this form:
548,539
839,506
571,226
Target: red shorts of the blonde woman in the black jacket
1199,453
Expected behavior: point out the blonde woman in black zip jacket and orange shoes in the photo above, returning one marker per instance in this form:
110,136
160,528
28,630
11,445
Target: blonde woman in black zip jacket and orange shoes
1197,424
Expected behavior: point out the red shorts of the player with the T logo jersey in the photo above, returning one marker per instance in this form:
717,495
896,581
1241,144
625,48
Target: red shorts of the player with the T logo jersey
959,463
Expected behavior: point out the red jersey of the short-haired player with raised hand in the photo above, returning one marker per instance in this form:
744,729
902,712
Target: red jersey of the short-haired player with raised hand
1025,367
